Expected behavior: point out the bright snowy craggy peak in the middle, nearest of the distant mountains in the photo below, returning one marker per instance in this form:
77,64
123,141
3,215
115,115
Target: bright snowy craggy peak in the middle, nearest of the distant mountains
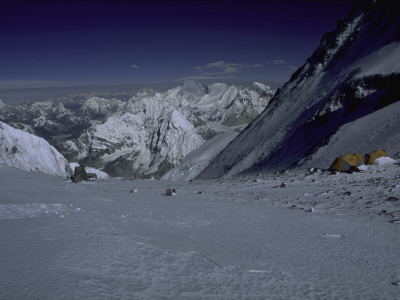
145,141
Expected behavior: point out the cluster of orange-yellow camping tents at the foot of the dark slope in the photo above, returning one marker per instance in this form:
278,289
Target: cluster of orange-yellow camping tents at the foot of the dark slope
351,162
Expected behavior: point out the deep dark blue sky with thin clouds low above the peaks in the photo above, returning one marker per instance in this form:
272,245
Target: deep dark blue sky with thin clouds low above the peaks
62,43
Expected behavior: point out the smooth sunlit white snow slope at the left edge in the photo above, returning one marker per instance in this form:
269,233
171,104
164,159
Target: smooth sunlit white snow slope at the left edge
27,152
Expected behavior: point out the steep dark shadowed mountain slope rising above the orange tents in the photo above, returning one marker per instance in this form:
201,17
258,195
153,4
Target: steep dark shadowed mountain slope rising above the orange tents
354,72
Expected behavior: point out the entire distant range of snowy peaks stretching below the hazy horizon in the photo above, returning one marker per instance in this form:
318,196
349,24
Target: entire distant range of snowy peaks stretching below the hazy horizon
145,135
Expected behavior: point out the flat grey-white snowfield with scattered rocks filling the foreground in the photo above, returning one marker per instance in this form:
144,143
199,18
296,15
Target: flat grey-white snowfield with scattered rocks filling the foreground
316,236
